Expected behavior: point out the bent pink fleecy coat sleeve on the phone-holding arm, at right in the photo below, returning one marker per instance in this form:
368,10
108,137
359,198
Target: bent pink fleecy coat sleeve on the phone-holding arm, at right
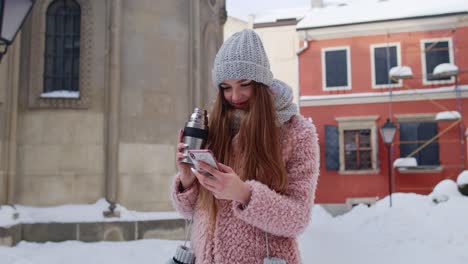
287,214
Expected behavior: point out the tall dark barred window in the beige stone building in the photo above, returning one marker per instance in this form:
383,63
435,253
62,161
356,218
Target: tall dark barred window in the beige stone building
62,47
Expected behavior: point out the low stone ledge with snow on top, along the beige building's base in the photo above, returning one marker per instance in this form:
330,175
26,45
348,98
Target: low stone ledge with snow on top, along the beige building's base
171,229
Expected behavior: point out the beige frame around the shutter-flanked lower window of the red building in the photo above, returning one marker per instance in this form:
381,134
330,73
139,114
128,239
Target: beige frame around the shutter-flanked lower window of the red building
355,123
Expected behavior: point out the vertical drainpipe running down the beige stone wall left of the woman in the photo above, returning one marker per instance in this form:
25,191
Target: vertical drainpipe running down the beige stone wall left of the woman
113,108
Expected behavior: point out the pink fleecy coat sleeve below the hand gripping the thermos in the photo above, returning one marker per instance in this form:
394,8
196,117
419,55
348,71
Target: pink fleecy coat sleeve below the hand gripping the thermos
184,202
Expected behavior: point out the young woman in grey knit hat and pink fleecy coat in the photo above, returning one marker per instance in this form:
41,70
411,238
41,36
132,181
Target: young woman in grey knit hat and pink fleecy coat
260,200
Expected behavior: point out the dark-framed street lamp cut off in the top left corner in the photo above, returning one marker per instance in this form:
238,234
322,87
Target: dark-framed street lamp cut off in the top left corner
12,16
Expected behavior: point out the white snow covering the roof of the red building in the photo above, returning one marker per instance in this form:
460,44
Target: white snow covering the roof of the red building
362,11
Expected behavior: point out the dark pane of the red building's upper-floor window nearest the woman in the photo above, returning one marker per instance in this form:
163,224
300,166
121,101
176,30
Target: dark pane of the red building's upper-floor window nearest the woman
336,68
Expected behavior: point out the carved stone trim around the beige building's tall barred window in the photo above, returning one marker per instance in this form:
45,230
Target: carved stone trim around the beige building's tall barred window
36,60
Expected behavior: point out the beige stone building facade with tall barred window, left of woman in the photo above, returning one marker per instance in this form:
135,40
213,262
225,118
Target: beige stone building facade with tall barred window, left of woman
93,94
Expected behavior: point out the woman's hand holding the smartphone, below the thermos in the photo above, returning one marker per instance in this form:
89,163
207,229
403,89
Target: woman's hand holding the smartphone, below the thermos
225,184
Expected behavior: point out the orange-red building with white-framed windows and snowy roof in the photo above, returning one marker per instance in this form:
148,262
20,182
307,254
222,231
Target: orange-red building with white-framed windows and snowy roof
345,87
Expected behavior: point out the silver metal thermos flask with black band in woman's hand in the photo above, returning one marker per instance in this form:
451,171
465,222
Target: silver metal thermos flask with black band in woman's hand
195,132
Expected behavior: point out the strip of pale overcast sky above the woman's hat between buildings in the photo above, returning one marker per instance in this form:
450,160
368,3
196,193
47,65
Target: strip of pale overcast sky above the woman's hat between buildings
242,8
